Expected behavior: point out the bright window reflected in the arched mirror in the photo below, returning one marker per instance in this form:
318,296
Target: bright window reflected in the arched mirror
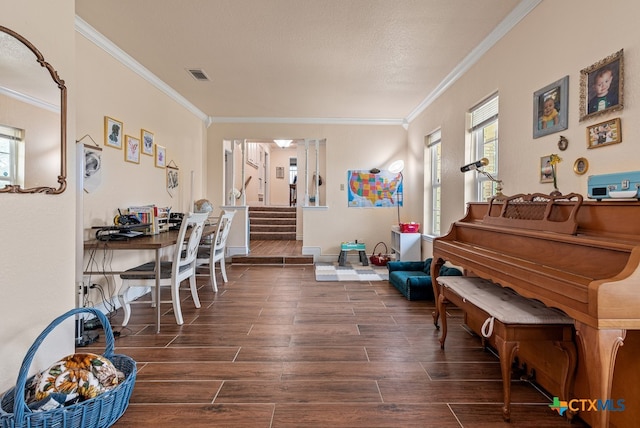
11,156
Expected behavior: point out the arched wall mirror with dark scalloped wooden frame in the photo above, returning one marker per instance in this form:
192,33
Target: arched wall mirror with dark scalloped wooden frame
33,118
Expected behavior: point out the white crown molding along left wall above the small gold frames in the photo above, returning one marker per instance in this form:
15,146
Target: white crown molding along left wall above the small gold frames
91,34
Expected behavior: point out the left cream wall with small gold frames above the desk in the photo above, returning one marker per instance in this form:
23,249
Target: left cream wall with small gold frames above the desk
106,87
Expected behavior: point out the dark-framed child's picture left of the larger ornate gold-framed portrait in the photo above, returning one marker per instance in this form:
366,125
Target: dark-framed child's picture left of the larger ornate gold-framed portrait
550,108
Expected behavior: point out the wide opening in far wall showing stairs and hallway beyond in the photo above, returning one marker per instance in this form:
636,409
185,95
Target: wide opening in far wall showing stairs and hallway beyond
271,183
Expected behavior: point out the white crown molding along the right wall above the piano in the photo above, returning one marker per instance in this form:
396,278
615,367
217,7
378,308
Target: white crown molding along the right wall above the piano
517,14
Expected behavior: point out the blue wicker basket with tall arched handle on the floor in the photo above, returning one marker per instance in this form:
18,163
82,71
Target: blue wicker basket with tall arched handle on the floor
101,411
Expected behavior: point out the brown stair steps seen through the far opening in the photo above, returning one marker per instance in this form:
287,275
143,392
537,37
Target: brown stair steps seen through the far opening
272,223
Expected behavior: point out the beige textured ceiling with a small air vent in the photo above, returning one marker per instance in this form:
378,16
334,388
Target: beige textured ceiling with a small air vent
356,59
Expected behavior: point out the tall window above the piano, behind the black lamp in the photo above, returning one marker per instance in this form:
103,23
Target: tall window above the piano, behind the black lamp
484,140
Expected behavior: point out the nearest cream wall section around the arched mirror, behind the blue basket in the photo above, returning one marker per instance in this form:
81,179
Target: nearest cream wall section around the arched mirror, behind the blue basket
37,266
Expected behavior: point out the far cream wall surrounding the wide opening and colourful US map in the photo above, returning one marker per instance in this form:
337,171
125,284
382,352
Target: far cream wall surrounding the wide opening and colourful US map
347,147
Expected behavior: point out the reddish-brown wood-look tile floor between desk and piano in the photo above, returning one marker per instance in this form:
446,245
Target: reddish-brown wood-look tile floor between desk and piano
275,348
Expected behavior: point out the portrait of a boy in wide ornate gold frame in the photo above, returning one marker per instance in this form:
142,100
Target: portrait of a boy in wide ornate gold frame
601,86
